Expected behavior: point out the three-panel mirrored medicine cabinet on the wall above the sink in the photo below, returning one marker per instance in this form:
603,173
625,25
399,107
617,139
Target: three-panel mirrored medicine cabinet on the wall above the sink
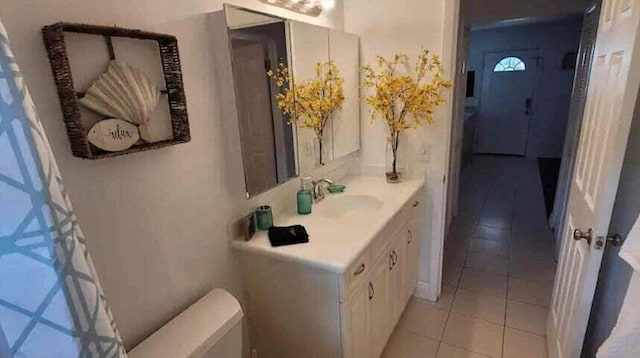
273,150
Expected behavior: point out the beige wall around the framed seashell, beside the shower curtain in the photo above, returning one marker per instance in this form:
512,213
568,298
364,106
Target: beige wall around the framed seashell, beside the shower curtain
155,222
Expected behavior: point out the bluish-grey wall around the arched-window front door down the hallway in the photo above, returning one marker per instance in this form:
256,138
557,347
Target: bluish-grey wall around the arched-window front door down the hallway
553,85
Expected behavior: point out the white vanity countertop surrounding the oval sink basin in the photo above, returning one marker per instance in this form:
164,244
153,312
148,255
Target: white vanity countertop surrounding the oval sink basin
334,243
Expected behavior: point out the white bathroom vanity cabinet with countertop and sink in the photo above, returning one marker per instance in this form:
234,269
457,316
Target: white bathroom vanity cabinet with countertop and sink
341,294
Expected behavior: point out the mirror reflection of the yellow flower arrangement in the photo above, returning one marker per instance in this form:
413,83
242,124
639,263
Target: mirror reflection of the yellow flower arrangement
309,103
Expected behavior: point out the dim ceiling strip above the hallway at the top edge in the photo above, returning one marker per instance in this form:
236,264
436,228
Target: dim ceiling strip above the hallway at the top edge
483,11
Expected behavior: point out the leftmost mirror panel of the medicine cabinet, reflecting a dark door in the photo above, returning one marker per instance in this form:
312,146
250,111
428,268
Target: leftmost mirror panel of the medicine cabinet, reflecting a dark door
258,44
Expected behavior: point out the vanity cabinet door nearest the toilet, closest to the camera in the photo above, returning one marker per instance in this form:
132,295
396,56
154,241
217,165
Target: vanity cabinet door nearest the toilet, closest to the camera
358,323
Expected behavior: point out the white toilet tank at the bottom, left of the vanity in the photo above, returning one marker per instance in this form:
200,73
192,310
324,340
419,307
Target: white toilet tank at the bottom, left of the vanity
210,328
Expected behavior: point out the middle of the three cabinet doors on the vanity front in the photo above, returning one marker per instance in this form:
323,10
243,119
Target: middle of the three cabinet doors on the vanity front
380,305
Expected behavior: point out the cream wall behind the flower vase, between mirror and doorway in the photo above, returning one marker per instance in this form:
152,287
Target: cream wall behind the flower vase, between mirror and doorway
387,27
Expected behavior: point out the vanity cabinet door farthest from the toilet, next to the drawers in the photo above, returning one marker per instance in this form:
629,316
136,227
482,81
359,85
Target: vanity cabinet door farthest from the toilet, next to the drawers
398,285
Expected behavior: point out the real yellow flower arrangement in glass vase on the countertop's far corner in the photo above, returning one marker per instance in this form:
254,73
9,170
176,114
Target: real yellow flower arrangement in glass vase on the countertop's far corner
404,100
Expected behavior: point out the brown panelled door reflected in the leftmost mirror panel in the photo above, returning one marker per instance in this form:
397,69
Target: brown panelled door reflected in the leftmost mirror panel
256,122
